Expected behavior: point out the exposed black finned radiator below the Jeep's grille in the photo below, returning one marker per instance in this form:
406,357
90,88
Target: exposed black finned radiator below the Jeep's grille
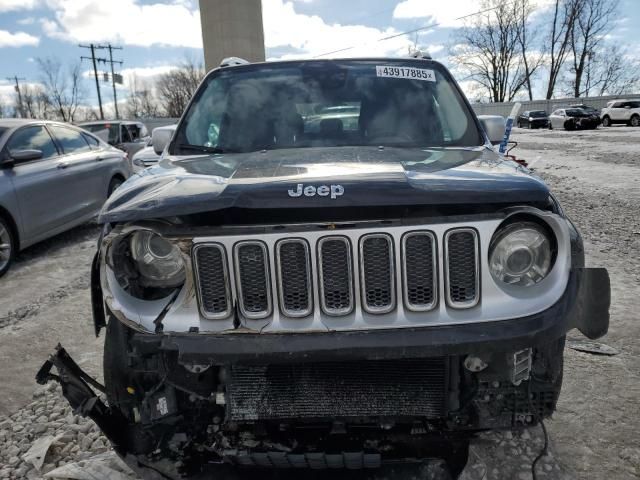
402,387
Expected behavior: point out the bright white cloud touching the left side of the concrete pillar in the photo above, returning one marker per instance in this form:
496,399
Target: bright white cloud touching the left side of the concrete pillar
125,21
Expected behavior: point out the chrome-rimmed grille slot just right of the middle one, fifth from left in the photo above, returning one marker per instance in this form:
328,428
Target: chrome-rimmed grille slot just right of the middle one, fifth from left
377,275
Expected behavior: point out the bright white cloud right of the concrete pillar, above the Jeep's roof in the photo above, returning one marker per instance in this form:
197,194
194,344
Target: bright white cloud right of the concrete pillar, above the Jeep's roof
310,35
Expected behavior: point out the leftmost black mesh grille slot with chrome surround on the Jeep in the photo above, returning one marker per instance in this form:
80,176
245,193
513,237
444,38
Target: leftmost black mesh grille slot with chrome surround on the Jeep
214,298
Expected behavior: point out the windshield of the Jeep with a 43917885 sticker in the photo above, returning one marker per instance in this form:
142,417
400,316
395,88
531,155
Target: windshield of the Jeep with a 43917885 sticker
325,104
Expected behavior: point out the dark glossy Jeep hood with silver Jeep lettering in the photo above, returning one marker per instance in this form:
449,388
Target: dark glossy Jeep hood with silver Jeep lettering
322,178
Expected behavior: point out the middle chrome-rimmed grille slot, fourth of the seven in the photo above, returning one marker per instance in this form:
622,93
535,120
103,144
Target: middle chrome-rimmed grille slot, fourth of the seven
336,294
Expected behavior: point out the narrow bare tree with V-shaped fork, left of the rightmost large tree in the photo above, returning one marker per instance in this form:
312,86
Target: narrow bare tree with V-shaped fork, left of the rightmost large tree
565,14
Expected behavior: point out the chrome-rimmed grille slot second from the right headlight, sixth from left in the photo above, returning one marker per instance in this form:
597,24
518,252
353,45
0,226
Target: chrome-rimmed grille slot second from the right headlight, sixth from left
415,287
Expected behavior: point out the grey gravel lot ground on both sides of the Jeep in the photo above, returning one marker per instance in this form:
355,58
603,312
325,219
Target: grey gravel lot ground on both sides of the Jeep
595,433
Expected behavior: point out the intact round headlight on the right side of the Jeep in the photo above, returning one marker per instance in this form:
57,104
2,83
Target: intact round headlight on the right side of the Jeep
520,254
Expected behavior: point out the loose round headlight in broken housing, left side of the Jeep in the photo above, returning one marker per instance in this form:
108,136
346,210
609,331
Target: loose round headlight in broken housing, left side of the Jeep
146,264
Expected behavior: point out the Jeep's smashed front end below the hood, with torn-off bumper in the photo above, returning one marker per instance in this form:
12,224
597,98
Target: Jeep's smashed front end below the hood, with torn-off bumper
188,395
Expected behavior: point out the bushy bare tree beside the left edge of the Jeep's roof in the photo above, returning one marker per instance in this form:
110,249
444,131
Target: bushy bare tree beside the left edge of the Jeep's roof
175,88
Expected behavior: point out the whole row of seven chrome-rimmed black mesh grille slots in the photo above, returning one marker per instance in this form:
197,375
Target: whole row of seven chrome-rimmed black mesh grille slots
335,267
